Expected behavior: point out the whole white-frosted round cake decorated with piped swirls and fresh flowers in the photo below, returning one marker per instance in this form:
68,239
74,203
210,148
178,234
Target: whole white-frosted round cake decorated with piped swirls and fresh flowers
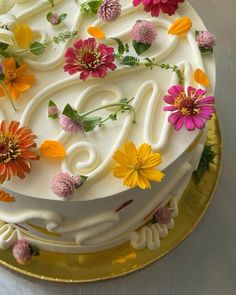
112,100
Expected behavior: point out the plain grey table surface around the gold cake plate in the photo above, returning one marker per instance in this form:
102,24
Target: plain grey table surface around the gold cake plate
205,263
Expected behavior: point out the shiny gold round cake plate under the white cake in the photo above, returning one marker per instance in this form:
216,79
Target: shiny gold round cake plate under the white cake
119,261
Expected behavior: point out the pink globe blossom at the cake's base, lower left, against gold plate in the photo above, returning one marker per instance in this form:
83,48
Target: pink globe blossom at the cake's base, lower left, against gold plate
21,252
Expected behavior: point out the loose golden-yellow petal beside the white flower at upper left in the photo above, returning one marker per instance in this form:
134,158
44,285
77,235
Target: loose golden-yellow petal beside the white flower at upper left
23,35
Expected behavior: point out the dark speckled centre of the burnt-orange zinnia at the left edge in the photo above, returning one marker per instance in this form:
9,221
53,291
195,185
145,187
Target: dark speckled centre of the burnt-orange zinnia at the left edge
9,149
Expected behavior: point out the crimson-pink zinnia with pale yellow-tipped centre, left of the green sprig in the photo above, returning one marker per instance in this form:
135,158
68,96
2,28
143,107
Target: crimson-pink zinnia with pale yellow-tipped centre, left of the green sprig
89,58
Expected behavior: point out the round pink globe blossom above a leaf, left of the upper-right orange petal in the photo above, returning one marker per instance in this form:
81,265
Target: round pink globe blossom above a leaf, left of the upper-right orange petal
144,32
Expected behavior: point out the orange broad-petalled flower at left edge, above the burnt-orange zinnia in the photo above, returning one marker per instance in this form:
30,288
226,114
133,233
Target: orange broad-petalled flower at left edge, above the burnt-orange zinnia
16,80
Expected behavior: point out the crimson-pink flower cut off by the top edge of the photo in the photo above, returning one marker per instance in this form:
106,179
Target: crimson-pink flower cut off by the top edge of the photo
156,6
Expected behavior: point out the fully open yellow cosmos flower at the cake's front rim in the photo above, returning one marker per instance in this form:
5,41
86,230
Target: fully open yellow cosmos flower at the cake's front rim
137,166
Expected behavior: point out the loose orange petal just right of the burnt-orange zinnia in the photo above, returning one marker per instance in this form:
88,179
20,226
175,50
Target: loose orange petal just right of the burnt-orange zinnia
52,149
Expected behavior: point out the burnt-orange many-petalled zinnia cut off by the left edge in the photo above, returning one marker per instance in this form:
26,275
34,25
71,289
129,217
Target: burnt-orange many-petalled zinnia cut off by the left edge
16,150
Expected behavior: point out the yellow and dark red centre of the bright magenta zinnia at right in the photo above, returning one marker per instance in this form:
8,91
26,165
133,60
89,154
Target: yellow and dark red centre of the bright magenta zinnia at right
186,105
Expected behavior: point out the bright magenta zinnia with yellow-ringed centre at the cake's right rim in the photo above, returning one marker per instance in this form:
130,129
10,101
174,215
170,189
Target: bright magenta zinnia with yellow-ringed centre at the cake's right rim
191,109
